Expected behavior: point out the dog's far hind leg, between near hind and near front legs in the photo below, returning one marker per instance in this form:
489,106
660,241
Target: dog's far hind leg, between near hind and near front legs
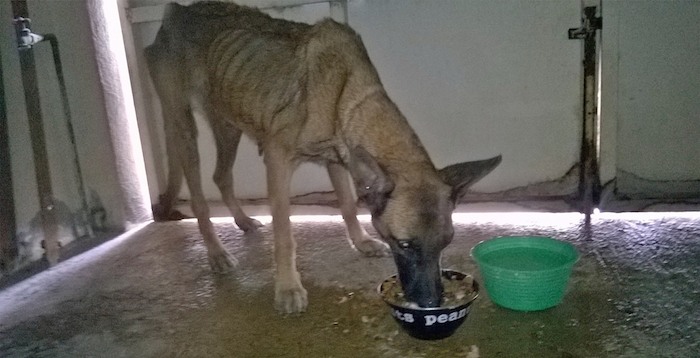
227,138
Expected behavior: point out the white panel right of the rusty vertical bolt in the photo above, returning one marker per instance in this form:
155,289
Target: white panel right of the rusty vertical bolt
651,95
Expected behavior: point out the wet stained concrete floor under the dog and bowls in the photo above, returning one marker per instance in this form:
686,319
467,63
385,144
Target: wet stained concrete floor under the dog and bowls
150,293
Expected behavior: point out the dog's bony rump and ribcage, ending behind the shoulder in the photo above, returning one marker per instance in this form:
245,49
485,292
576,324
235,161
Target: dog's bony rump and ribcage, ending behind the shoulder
227,56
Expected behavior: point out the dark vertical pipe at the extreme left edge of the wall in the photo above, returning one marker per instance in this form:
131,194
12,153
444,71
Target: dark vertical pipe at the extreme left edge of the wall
8,223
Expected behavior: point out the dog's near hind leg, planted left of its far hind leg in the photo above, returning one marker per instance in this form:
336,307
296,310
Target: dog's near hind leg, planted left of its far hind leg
188,155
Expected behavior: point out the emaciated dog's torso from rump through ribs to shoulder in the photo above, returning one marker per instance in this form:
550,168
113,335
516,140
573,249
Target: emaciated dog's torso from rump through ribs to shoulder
265,75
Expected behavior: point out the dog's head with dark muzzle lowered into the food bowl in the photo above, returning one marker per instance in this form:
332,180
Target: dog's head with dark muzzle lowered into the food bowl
416,219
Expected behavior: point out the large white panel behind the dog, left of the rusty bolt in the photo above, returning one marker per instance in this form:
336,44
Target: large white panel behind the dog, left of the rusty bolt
474,78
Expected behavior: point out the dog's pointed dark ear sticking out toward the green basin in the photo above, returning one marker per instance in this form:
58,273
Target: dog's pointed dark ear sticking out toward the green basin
462,175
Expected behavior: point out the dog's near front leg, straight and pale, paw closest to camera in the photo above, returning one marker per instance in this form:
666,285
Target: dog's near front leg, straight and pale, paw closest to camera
290,295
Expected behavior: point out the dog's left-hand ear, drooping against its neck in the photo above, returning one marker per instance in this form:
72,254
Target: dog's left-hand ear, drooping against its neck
372,183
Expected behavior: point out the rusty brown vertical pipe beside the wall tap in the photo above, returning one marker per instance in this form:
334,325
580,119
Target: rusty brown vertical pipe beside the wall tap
38,139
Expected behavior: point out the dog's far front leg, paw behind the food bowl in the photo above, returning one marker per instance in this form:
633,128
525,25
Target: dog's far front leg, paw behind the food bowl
359,237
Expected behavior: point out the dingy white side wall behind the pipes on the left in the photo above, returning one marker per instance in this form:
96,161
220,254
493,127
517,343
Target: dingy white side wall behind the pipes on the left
69,21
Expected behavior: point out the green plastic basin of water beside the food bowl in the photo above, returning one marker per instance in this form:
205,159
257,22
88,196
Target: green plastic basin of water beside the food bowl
525,273
